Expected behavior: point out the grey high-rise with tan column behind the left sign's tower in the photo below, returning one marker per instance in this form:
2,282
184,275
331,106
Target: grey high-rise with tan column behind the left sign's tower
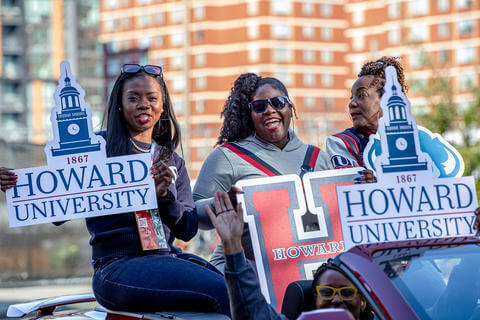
36,36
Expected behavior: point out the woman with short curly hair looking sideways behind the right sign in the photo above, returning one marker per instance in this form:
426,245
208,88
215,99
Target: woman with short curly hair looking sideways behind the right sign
346,148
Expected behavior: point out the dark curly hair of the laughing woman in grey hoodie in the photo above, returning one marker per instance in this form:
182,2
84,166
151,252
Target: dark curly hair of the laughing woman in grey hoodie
237,122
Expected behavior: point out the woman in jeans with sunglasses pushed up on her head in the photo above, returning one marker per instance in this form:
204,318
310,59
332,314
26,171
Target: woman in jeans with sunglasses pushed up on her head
131,273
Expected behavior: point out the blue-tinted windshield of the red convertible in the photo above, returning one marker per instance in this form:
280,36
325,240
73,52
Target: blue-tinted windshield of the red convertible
439,282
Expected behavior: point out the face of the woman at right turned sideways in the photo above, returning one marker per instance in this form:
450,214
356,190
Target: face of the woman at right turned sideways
364,106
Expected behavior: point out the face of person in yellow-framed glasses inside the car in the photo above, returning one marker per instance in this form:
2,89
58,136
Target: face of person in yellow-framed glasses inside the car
335,279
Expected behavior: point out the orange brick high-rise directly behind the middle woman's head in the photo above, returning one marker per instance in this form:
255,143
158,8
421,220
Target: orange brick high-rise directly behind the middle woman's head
205,45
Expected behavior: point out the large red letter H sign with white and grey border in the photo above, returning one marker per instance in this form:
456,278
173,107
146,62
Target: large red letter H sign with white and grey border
293,232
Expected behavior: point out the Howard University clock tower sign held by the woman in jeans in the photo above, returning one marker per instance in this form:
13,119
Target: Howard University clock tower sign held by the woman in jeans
79,181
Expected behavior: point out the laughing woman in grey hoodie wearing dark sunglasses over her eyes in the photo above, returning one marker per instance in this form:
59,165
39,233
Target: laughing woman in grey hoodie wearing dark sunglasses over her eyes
255,141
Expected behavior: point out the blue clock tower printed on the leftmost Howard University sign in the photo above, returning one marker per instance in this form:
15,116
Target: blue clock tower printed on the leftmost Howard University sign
72,123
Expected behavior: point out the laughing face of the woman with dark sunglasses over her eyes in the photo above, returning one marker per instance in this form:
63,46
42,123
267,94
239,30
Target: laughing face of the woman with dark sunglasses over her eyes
271,125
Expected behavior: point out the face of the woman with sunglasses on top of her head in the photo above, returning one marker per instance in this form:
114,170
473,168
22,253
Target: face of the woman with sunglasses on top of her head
142,106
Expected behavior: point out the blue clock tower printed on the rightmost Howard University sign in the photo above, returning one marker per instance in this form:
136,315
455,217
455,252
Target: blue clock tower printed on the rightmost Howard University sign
402,152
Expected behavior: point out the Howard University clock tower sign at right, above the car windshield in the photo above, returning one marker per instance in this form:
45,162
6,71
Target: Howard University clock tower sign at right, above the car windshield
407,202
